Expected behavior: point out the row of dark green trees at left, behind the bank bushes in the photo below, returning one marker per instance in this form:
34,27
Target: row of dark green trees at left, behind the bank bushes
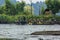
11,9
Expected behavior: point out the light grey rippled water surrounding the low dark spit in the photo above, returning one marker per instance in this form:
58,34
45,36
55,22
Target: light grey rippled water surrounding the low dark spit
21,32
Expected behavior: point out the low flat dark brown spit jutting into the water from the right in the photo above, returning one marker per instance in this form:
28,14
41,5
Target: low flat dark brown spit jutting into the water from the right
46,33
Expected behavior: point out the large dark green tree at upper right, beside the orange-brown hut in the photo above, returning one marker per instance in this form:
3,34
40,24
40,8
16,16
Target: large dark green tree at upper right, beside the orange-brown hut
53,5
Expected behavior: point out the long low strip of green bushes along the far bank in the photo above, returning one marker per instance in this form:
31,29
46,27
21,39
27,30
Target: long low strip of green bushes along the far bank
18,18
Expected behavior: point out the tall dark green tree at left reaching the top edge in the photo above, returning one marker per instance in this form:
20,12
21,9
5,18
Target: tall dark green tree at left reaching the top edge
10,8
